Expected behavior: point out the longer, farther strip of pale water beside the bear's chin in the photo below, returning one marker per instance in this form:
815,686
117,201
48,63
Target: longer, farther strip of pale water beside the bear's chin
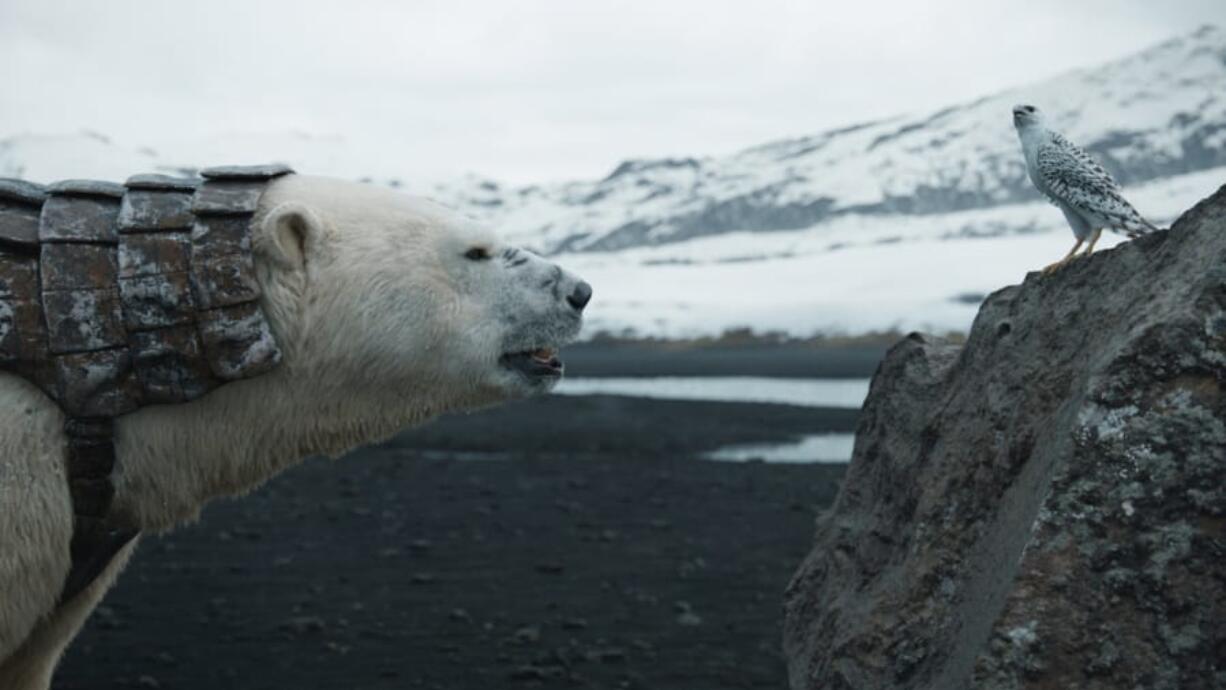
809,393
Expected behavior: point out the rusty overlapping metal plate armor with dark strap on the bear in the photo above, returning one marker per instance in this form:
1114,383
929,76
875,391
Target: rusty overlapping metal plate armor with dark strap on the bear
113,297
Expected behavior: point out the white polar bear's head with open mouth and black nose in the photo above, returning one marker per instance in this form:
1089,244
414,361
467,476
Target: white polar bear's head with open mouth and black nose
394,298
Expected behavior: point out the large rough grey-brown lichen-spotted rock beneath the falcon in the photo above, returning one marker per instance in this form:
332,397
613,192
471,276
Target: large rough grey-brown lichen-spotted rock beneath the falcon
1044,507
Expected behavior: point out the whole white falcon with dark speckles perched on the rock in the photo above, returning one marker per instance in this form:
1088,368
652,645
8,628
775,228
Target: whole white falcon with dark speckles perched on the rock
1075,182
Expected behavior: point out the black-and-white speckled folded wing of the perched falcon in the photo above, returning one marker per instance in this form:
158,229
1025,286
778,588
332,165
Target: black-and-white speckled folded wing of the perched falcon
1072,176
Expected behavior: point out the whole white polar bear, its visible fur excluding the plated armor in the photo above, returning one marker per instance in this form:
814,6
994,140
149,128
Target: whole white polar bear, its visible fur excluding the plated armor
389,311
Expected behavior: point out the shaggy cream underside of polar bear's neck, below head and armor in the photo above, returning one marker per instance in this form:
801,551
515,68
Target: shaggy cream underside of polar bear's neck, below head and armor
175,459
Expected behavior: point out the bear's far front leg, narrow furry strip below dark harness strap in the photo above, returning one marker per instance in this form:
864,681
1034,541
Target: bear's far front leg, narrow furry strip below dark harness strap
32,666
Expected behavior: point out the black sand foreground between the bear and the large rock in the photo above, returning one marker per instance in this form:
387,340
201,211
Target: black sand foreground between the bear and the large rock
557,544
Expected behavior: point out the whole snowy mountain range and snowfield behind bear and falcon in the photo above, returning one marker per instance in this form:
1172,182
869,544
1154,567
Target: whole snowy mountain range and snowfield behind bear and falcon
897,225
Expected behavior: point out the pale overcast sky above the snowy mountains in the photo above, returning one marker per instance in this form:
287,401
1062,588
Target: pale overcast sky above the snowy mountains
534,91
